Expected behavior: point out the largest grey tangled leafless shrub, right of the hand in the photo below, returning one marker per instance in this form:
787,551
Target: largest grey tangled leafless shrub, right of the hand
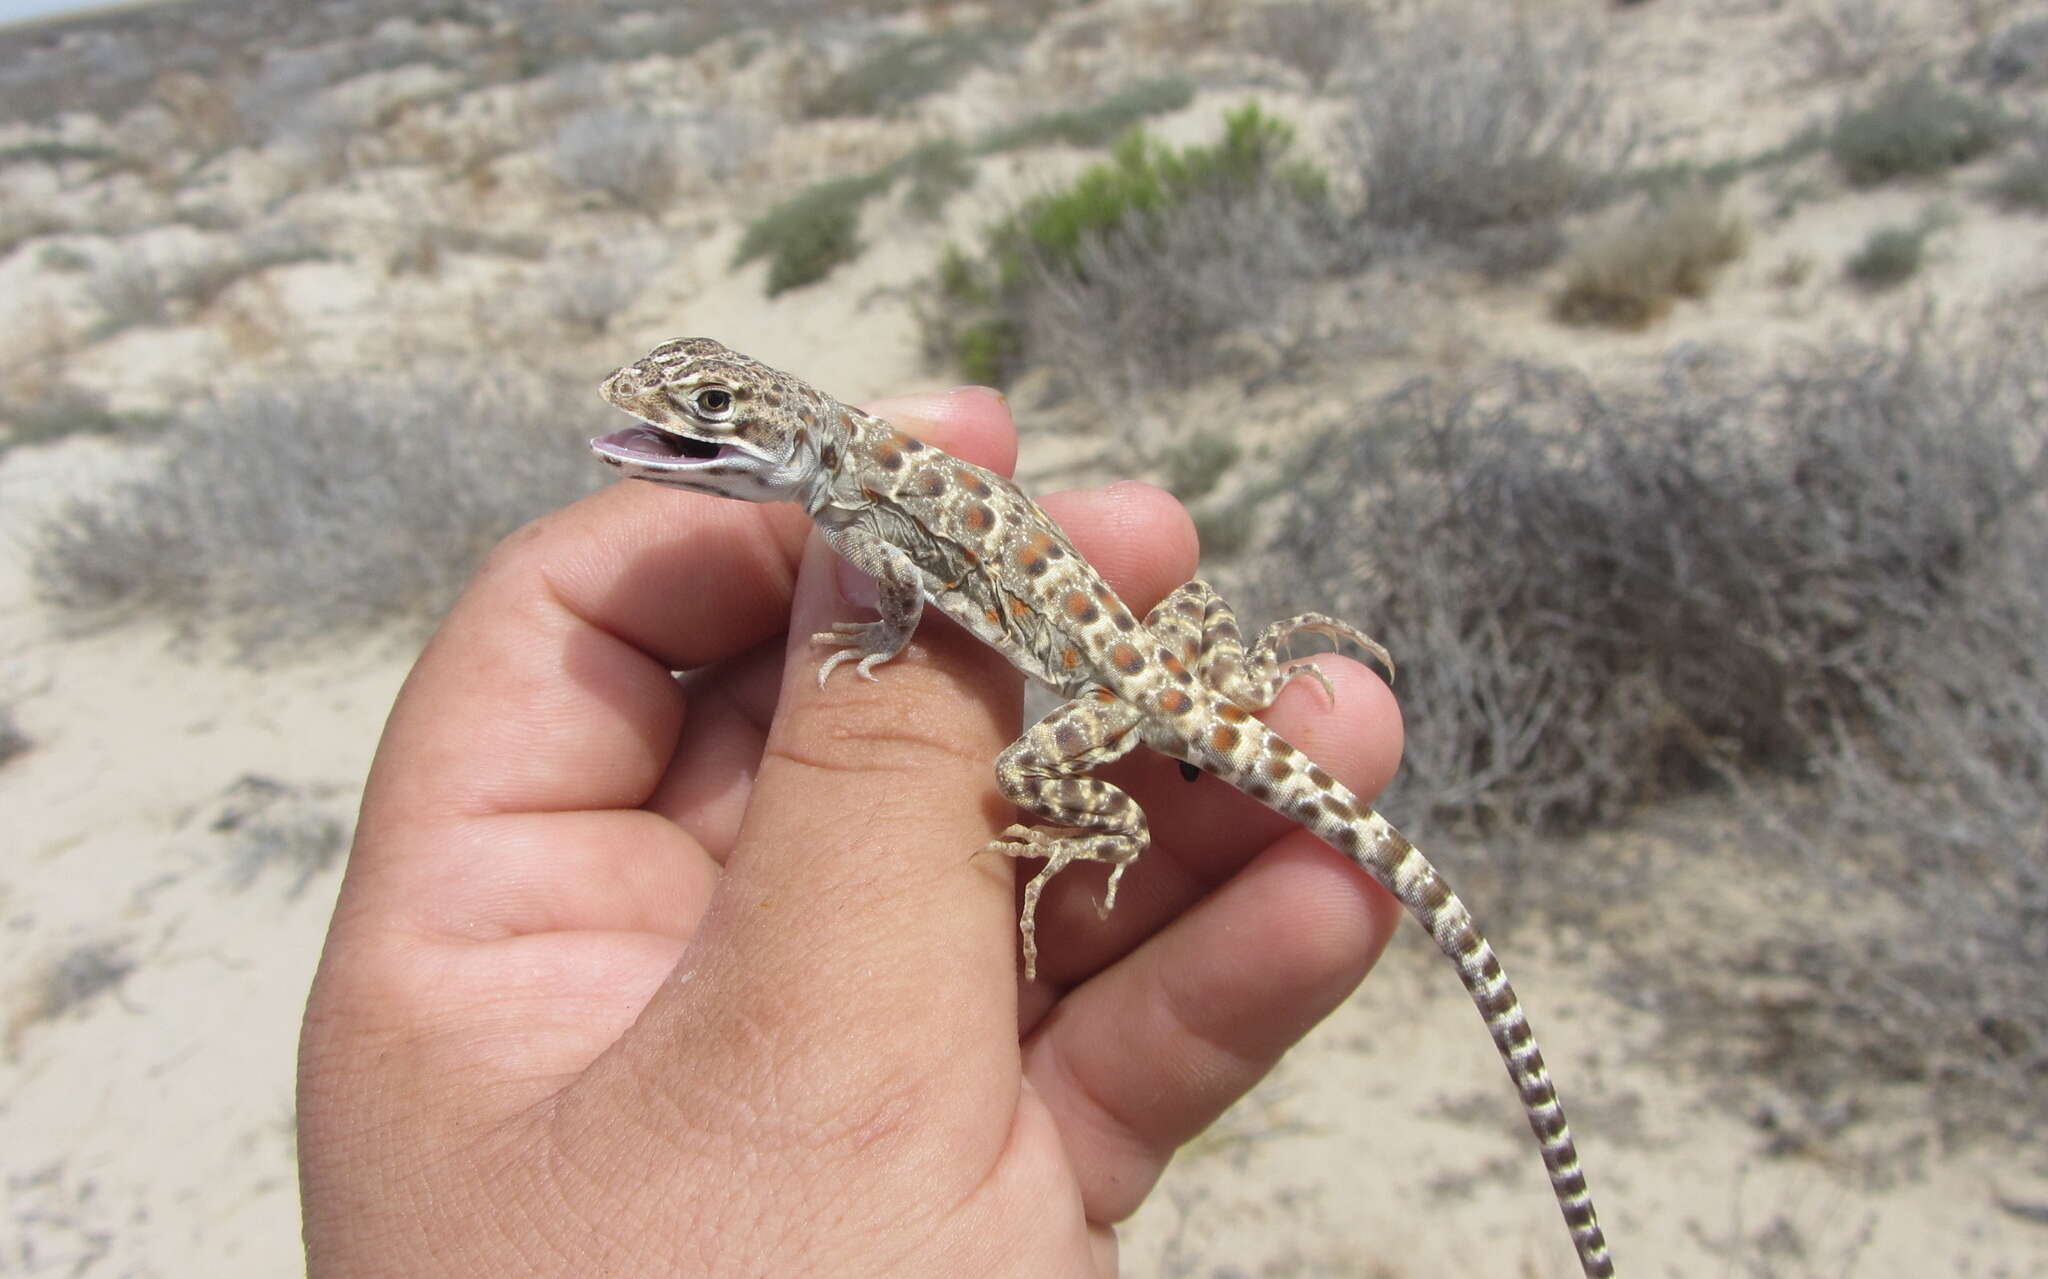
1826,574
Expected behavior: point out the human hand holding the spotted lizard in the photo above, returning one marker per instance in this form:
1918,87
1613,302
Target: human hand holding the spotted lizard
642,975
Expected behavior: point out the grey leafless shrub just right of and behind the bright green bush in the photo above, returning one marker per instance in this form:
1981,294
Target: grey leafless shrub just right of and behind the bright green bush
1478,122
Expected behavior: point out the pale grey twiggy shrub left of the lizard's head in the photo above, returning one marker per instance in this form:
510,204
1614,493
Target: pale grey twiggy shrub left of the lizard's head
321,509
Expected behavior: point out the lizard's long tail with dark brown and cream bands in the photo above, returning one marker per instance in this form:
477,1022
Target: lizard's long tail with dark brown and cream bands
1324,805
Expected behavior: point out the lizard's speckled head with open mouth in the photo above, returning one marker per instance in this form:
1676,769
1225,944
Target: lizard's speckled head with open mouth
716,423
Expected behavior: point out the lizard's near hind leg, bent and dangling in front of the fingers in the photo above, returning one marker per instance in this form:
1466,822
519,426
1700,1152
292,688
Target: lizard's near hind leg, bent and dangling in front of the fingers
1091,820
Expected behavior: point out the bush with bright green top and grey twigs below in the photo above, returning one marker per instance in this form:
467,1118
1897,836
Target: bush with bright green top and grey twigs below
1136,269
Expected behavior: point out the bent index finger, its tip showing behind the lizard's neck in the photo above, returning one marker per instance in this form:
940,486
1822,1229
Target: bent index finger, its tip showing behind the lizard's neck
550,689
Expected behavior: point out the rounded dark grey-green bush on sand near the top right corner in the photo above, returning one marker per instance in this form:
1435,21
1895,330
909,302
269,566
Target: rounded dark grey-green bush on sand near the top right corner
1914,128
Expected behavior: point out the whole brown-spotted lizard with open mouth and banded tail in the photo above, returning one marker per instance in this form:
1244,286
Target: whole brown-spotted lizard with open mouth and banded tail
939,531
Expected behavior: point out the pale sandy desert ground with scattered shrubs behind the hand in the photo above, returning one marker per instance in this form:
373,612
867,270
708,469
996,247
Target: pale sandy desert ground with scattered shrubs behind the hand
1785,973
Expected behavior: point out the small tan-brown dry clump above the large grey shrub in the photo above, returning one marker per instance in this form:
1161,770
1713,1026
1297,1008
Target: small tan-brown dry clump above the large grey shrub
1631,277
